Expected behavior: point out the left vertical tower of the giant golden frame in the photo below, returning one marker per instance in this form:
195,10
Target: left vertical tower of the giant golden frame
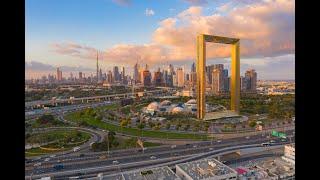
201,82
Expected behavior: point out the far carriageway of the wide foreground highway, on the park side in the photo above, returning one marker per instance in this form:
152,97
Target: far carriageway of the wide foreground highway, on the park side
73,163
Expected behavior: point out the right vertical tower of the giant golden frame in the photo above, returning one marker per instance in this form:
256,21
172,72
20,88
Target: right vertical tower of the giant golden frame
235,77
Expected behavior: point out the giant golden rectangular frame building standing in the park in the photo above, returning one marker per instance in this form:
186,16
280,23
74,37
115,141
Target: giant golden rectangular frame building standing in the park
201,65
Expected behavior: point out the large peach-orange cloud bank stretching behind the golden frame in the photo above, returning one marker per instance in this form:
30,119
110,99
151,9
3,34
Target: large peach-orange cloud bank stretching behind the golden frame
265,28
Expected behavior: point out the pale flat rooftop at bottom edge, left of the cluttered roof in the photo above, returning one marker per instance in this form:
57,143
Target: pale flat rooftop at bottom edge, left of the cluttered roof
159,173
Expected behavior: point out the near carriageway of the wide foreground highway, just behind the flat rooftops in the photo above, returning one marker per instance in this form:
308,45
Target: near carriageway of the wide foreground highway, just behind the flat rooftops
110,168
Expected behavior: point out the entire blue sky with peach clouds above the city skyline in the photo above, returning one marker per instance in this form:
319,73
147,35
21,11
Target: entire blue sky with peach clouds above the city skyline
151,37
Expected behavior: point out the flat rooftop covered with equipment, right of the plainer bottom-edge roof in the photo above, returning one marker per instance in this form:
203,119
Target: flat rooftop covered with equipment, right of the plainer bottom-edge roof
206,168
